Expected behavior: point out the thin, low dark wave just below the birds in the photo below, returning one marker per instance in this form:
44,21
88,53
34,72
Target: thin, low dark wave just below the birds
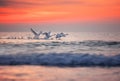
83,43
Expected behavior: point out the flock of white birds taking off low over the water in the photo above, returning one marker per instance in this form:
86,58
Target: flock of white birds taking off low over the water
38,35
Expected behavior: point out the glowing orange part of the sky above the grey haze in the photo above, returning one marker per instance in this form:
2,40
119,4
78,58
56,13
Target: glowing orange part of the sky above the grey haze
58,10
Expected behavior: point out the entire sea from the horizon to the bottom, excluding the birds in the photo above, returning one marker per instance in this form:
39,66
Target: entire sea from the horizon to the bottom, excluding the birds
80,56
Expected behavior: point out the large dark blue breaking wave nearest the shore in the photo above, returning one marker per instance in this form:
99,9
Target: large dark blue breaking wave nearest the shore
61,59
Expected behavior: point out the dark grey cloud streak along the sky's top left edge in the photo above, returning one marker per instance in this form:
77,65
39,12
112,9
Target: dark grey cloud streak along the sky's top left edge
22,3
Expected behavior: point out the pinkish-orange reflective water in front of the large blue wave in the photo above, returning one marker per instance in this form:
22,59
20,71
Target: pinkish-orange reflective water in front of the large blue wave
38,73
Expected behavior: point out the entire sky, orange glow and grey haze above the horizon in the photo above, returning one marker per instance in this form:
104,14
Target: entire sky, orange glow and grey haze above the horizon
19,15
